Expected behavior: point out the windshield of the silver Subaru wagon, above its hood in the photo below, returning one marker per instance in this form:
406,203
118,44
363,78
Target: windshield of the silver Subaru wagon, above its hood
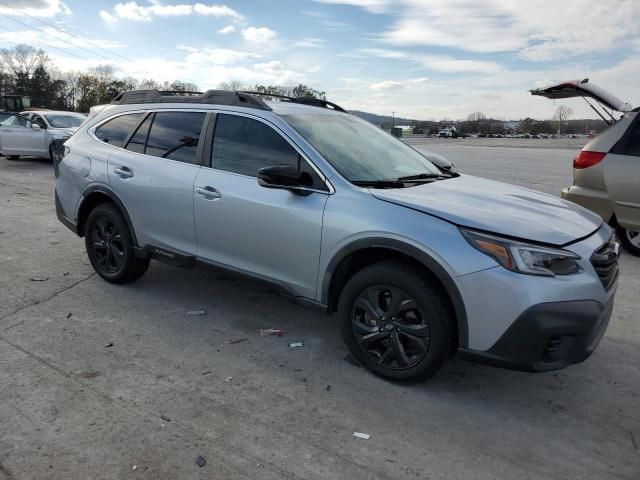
359,150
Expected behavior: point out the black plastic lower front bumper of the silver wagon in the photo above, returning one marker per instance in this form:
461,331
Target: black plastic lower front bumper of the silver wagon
549,336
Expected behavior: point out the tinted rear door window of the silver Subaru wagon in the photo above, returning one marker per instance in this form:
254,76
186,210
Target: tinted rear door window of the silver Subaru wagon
175,135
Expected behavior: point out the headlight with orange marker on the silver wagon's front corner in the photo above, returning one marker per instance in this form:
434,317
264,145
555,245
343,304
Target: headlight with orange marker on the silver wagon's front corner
523,257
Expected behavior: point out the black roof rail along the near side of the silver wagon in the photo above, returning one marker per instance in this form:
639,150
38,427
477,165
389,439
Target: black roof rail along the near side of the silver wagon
217,97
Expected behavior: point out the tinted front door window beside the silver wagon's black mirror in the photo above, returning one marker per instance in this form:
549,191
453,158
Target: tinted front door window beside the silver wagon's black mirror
242,145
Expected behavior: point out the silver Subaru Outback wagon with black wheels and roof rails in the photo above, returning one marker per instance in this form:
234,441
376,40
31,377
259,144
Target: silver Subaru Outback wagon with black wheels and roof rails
418,261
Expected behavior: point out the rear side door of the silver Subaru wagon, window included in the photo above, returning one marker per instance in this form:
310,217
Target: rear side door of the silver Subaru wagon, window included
154,174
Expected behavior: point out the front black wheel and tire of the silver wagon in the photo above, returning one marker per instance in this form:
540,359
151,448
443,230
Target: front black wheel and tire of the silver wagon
395,322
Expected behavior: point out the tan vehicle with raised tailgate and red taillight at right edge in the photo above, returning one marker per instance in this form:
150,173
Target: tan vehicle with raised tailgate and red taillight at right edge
606,172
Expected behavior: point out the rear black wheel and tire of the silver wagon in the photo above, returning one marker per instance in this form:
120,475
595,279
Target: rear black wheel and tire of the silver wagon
110,248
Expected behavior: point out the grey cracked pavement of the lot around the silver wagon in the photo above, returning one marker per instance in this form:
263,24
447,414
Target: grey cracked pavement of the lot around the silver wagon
99,381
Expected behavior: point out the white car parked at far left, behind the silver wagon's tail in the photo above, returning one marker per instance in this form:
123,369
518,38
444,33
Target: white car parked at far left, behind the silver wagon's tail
31,133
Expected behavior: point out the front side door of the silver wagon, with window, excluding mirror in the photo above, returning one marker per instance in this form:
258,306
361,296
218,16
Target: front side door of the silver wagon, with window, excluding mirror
272,234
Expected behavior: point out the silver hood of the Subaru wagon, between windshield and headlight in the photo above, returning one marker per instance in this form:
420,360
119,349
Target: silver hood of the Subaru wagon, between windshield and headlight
499,208
